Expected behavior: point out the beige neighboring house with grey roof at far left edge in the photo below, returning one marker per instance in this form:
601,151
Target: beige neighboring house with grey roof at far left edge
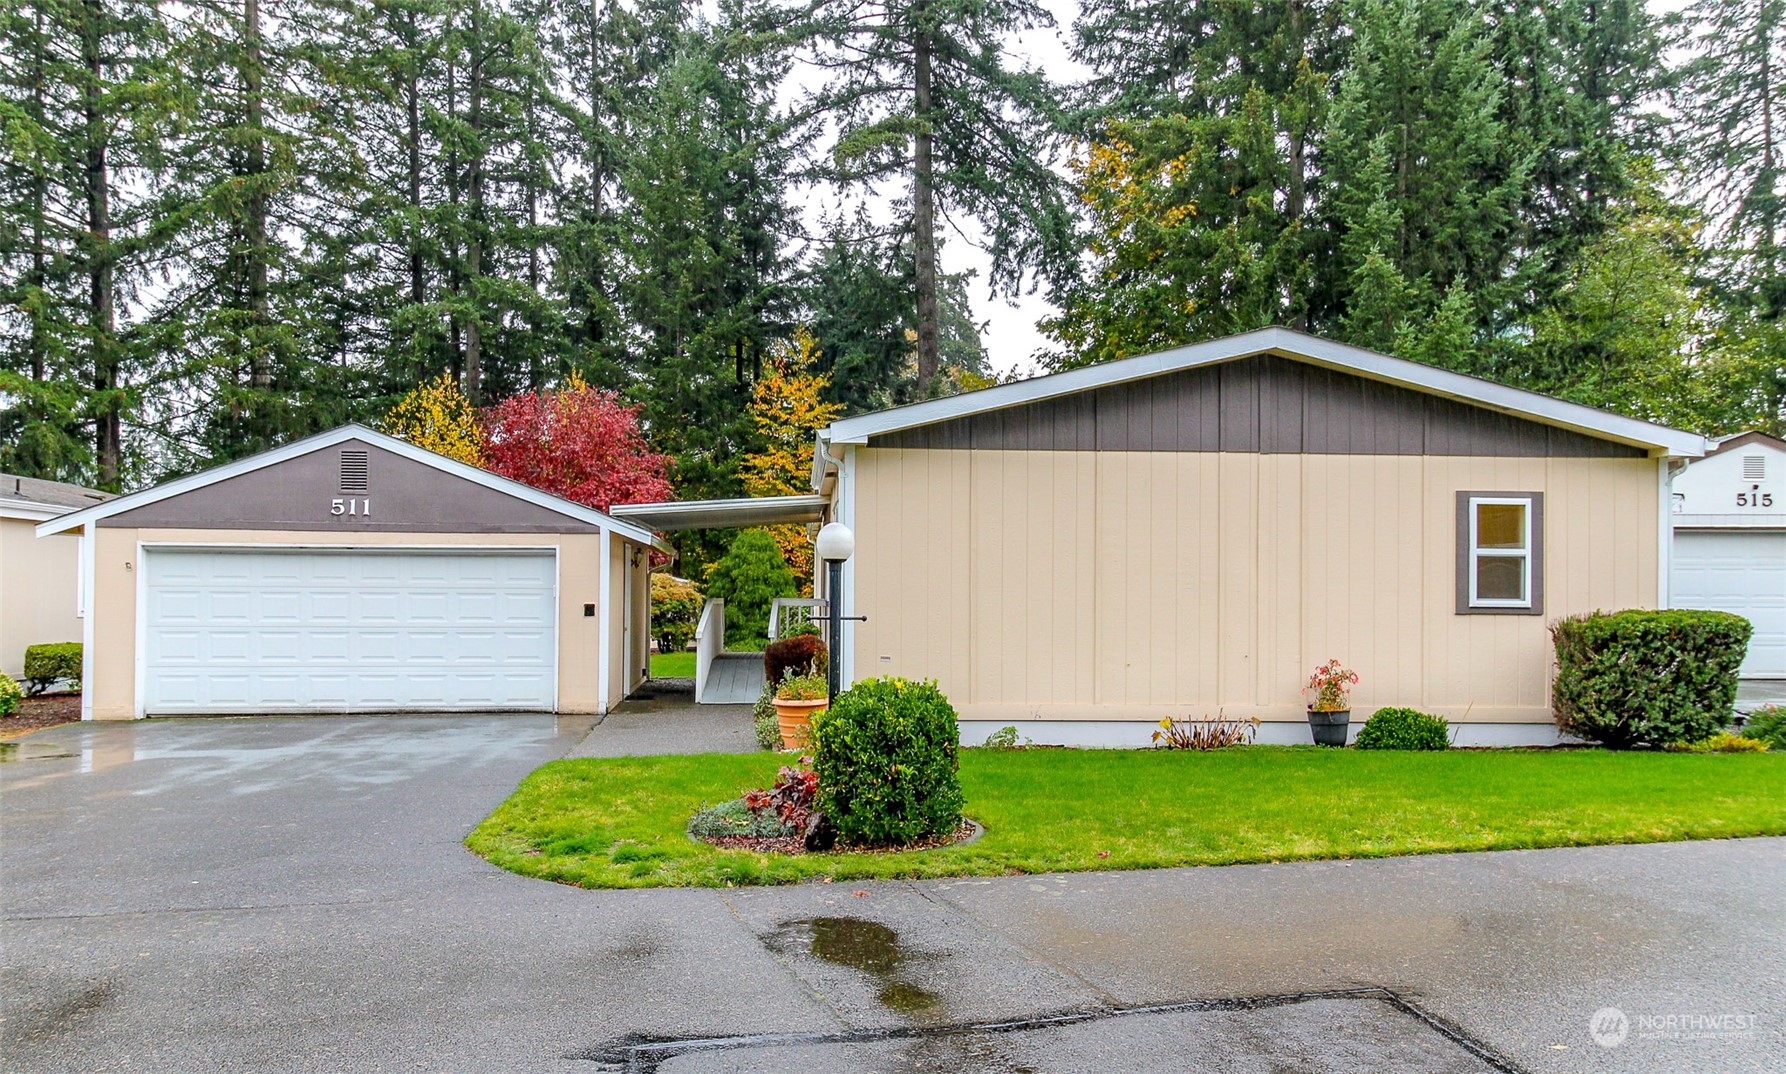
40,582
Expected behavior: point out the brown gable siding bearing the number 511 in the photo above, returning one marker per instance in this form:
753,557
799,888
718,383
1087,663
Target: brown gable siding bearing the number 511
406,498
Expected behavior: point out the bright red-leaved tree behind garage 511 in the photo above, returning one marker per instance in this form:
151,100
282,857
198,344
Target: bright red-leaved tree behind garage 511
578,442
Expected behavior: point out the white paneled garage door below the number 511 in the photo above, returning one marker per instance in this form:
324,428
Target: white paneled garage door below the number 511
346,632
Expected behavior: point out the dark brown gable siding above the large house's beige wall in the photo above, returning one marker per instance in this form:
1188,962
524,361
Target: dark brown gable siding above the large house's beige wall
1260,405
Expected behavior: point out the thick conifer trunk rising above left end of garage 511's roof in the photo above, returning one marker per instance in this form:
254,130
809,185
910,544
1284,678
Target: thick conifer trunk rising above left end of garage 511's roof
108,435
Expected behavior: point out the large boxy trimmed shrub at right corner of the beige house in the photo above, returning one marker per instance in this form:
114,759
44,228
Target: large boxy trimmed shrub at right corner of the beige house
1648,678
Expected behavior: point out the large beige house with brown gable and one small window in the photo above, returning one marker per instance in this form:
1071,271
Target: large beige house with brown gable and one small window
1190,533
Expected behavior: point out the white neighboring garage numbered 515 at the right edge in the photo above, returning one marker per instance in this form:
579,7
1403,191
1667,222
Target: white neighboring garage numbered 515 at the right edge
1730,550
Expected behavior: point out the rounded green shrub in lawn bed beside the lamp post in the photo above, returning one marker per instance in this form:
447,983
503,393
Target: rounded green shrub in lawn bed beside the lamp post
887,755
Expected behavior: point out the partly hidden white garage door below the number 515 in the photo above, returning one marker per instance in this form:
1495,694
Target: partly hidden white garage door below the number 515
1740,571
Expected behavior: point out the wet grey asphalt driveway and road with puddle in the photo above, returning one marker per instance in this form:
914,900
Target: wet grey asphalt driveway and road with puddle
292,896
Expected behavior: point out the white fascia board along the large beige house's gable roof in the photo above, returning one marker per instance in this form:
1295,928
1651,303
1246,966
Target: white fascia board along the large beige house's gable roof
1296,346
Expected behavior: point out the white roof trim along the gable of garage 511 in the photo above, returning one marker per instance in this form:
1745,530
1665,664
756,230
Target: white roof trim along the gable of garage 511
303,448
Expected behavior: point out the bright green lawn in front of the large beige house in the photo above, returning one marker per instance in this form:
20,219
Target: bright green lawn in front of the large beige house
621,823
